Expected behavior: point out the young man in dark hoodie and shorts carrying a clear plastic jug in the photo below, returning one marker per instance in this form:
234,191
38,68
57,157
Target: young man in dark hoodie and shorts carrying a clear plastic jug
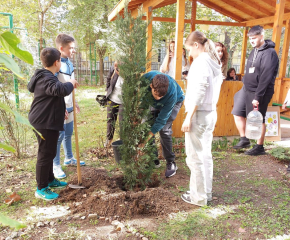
258,89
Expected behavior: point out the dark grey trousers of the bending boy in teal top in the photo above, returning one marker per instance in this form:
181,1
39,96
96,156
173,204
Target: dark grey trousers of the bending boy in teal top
166,133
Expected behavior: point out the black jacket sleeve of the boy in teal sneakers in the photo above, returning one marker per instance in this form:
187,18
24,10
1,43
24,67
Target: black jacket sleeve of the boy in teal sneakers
53,87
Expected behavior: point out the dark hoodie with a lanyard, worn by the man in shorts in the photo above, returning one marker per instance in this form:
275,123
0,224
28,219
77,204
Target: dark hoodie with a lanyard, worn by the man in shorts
266,65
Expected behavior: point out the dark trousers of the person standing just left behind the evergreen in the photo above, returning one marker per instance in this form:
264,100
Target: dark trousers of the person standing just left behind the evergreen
112,113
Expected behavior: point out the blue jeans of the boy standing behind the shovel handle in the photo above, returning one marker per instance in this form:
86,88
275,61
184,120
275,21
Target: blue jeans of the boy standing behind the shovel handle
65,139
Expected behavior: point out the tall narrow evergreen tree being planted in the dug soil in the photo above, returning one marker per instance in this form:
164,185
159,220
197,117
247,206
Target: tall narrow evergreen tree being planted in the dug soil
131,39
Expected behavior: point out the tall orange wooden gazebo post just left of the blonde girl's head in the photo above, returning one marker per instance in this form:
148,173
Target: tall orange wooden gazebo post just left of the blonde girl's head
180,14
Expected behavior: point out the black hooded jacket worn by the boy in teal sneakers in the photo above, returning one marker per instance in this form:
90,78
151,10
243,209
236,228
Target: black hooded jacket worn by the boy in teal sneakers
48,107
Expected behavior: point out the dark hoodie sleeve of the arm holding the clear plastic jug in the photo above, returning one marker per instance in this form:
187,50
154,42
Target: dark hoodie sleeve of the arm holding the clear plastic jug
269,65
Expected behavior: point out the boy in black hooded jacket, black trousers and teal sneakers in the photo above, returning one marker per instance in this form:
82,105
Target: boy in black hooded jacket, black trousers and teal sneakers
47,115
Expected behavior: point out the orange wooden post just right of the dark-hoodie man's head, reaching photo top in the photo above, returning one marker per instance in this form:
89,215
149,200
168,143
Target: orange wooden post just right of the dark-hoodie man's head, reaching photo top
278,23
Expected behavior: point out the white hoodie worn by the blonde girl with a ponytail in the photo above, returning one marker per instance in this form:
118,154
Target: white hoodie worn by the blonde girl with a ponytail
203,84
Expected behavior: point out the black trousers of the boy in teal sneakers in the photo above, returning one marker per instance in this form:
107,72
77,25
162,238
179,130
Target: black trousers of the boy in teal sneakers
46,154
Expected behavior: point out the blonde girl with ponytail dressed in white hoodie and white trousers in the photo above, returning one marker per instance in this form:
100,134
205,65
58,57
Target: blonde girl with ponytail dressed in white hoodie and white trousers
203,88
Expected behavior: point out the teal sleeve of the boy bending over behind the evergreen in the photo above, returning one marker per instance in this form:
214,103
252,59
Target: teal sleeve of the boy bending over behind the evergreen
164,114
